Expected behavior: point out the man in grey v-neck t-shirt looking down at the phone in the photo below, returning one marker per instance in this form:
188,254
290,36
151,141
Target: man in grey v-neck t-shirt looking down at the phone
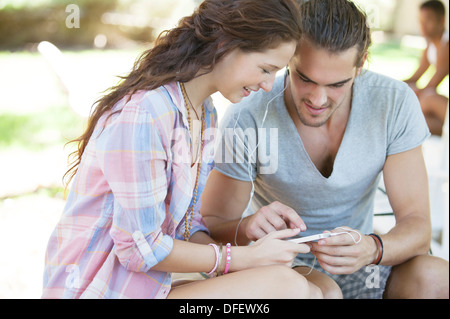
310,154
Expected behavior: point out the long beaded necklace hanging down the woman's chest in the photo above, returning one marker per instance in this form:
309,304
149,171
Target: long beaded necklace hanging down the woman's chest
190,211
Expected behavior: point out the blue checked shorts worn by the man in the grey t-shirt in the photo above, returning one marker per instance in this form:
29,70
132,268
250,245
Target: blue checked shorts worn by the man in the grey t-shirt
367,283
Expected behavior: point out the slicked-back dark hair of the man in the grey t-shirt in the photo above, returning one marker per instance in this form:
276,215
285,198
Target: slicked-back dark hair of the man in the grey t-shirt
336,25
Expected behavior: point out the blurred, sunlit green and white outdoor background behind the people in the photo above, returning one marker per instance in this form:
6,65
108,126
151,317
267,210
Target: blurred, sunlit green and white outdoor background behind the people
56,59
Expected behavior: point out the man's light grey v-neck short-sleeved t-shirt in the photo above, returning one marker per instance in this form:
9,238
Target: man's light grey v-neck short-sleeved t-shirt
385,119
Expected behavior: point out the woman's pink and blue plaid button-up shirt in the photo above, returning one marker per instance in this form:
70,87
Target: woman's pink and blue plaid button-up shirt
128,201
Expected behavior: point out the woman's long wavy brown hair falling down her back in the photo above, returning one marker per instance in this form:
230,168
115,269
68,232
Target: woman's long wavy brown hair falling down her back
193,48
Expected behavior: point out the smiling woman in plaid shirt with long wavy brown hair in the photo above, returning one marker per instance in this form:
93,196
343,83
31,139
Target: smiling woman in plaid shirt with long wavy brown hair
132,216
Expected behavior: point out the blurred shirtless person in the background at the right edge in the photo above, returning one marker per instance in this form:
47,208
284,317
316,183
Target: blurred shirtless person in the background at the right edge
434,105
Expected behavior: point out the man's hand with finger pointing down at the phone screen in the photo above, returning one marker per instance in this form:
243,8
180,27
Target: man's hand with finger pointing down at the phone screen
273,217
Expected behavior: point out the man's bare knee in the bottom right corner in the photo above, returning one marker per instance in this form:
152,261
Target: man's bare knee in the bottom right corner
422,277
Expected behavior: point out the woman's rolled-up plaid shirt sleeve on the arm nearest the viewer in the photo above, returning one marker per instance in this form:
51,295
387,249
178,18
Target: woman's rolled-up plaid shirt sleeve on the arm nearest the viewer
133,160
